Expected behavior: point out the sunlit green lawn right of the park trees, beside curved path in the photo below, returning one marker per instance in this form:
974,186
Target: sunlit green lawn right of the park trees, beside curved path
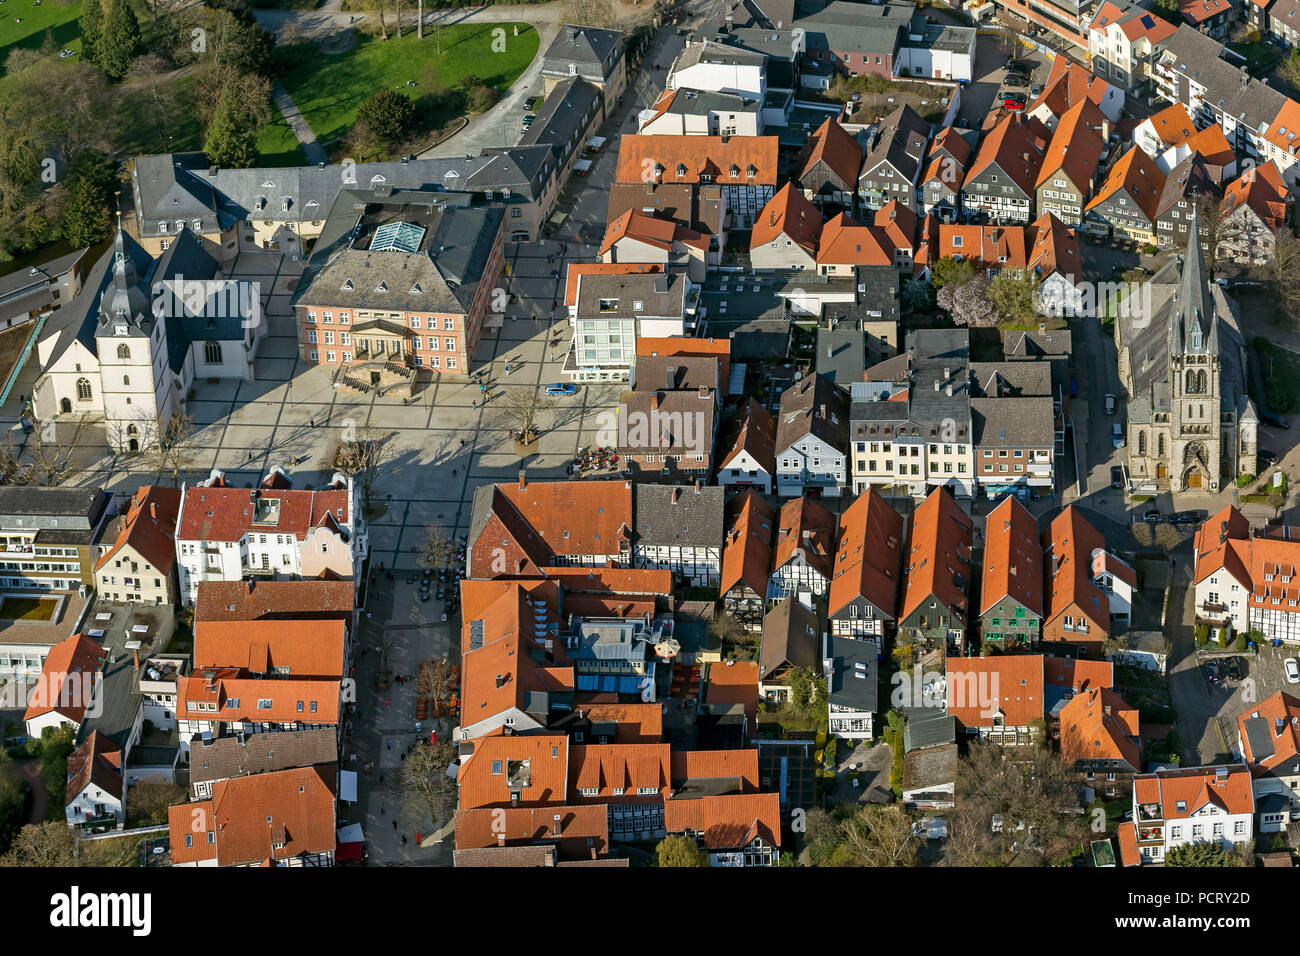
330,89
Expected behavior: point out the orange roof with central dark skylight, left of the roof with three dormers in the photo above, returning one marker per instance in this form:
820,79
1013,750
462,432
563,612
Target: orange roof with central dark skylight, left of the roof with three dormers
534,765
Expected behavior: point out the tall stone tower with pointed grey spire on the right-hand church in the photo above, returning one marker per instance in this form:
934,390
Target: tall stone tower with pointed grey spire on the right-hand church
1194,377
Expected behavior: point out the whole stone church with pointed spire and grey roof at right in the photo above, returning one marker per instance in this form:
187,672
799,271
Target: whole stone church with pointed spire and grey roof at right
1182,364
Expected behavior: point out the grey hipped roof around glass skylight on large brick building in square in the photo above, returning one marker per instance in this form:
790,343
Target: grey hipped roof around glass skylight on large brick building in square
444,275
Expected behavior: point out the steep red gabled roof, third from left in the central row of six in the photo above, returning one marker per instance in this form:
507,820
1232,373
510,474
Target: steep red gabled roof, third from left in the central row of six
870,556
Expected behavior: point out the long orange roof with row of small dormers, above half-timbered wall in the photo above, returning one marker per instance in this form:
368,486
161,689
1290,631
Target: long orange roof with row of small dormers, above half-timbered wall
726,162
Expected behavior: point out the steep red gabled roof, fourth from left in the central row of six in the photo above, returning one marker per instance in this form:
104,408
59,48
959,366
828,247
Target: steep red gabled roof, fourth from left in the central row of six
941,550
